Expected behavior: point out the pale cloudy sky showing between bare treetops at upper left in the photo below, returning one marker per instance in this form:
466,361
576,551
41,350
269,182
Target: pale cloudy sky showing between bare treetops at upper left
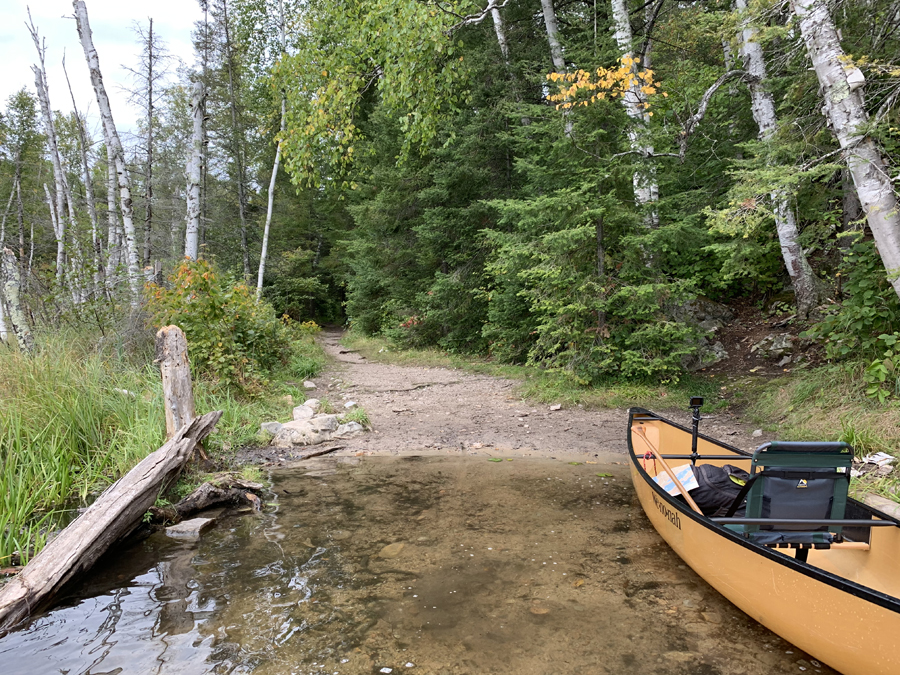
112,23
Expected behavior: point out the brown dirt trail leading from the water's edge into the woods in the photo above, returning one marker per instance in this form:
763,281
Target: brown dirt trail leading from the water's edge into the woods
424,411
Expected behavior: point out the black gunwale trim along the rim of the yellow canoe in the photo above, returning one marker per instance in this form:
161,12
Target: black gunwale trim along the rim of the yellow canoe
863,592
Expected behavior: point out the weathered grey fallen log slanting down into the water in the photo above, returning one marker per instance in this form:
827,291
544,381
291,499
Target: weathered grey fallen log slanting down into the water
115,514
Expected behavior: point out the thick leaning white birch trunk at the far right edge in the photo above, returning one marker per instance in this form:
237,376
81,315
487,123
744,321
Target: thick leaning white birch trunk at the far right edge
845,110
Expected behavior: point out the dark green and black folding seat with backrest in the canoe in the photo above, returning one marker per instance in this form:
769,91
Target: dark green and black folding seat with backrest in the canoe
795,481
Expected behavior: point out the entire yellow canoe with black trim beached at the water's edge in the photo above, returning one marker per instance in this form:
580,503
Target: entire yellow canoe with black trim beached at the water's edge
841,605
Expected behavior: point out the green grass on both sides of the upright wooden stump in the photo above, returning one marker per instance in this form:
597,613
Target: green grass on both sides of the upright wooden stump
74,418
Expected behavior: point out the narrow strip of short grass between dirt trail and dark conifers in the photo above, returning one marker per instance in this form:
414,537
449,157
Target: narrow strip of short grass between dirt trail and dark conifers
548,386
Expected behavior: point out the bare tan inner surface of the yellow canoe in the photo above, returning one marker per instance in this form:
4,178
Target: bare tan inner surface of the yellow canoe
877,568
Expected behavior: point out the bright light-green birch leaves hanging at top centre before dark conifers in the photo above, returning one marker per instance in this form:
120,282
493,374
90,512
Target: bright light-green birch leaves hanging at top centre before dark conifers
402,51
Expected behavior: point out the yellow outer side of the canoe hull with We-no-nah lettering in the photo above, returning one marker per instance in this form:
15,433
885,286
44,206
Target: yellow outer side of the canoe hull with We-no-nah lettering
820,613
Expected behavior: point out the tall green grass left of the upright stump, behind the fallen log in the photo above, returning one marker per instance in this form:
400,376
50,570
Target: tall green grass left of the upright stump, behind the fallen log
70,422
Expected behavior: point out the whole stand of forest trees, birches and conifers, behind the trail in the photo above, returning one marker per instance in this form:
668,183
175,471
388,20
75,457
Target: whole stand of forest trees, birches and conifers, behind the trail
543,182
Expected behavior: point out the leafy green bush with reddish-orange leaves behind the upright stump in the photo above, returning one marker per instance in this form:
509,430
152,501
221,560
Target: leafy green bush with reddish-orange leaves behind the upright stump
231,336
